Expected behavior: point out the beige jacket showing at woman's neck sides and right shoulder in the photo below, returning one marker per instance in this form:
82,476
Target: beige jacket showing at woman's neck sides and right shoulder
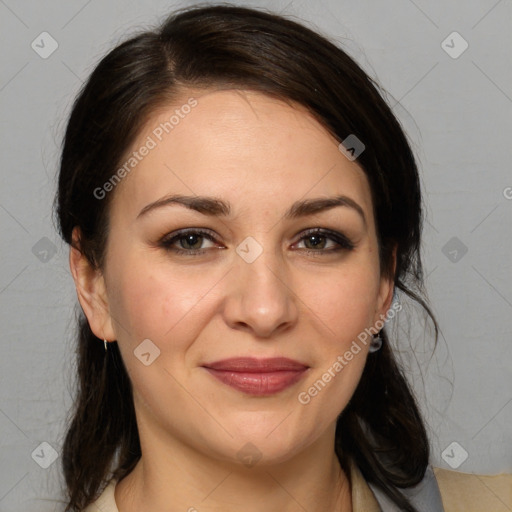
460,492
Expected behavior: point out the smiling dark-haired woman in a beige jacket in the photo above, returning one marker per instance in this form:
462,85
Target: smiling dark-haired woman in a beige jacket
242,208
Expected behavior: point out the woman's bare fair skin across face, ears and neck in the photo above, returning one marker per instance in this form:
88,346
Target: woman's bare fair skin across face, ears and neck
260,155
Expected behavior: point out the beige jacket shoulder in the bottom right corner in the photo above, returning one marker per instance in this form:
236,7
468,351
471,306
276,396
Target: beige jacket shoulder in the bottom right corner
468,492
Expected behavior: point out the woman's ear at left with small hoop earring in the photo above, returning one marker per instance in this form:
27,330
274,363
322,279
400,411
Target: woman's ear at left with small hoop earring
91,290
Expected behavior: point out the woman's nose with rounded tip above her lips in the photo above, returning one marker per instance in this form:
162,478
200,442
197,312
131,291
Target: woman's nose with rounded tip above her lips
261,300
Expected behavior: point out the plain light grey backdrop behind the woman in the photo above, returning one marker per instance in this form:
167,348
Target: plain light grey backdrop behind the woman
457,112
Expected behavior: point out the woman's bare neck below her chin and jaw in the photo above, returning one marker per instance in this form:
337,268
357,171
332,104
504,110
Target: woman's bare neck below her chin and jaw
175,477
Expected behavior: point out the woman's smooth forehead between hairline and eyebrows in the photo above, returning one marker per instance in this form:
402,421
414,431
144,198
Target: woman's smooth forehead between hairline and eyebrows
251,149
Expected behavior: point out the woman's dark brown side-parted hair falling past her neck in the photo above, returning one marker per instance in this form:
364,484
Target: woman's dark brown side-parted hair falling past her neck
221,46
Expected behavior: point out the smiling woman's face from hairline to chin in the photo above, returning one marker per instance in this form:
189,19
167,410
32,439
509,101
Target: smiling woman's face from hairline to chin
261,287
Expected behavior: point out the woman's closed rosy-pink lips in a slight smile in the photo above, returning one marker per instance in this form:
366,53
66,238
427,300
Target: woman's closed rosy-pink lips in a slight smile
260,377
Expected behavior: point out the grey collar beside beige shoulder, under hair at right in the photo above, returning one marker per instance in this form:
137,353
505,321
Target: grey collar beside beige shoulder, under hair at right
425,496
